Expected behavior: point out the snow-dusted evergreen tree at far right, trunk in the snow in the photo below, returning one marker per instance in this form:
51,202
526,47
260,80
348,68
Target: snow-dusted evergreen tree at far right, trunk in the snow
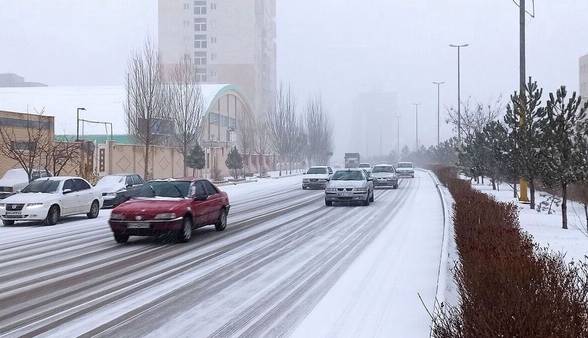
562,156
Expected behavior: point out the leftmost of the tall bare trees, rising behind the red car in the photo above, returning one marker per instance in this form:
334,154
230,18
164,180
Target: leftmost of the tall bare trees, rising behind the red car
145,97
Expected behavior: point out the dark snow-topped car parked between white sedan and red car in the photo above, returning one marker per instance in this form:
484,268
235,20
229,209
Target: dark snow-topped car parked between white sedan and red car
117,189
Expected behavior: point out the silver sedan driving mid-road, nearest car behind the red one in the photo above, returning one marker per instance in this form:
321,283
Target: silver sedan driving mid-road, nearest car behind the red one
349,185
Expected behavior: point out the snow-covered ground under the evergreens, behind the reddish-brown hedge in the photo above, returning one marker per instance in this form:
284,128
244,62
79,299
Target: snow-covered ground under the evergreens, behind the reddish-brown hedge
546,228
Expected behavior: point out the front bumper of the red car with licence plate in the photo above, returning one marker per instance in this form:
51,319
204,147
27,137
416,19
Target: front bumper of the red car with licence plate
145,228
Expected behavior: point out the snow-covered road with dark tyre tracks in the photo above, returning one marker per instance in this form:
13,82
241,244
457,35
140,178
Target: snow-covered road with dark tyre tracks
286,265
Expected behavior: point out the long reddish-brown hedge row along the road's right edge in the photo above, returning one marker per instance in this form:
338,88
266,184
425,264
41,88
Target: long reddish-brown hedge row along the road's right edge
507,286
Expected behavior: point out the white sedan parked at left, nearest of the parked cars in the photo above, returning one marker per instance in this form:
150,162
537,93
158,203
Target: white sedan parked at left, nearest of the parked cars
49,199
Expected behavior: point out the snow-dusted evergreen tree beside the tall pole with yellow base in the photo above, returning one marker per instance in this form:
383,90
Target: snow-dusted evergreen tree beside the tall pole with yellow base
526,133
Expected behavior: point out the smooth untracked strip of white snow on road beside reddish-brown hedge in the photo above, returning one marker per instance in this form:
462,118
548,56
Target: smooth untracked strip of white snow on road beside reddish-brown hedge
378,296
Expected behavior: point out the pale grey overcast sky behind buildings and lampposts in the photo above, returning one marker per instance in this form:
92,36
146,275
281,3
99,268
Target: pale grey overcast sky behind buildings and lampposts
336,47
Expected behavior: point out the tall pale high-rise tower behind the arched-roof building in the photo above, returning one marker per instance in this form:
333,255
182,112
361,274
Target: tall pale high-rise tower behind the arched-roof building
230,41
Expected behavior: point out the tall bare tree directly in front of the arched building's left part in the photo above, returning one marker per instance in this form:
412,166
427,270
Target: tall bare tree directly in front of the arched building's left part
185,104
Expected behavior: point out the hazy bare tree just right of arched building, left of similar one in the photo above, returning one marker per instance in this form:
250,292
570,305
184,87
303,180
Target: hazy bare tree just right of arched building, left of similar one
281,124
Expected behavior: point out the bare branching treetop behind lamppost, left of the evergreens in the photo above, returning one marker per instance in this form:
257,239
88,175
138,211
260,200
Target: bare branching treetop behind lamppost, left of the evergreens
474,116
